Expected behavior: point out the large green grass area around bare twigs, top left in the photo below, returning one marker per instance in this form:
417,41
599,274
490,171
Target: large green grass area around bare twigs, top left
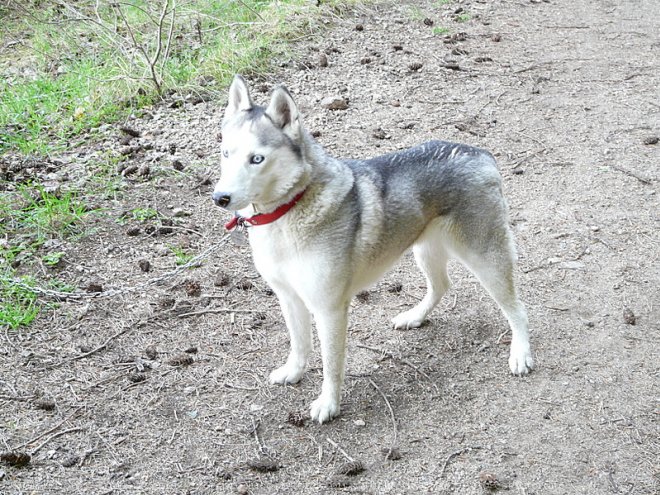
62,77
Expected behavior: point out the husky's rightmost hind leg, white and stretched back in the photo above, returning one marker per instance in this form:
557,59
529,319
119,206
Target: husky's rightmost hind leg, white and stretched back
493,266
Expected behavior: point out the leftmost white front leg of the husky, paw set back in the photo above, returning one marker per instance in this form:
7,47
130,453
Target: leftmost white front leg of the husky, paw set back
298,321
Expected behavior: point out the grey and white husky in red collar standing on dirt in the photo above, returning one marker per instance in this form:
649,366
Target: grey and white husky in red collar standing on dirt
322,229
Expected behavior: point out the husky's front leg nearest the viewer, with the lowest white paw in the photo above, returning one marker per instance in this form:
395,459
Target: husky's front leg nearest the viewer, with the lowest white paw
331,324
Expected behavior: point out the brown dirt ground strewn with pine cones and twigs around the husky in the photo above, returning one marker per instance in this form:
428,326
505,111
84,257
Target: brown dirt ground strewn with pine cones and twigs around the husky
159,385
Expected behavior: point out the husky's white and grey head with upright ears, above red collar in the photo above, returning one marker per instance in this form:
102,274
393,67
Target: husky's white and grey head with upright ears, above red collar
262,159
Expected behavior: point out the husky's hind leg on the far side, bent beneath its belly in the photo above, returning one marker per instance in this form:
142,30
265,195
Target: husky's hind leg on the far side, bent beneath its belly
432,259
